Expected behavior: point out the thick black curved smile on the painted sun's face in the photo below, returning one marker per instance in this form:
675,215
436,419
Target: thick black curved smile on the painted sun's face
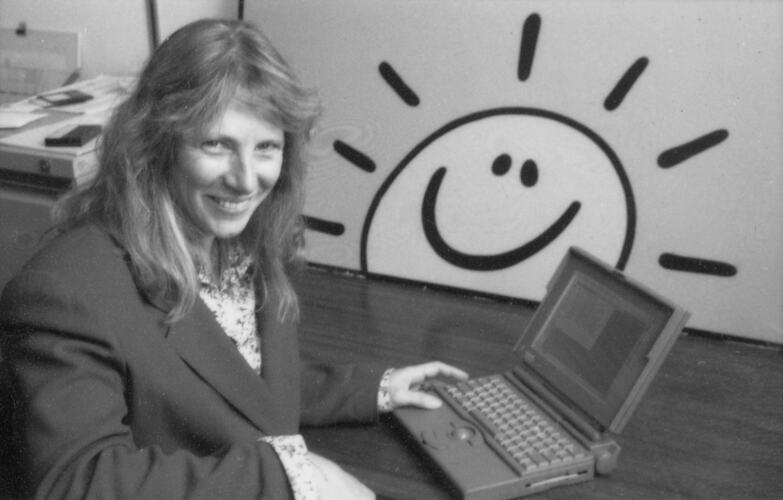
491,262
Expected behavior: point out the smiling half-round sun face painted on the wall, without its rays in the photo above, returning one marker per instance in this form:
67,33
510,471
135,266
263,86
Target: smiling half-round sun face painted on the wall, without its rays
489,200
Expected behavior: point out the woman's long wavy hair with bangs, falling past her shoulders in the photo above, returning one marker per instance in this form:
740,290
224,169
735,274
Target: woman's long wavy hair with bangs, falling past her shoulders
188,82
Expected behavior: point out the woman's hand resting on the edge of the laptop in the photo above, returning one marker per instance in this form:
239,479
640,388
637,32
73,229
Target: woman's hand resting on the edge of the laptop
403,384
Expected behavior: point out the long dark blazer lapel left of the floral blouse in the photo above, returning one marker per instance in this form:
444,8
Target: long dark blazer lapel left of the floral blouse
201,342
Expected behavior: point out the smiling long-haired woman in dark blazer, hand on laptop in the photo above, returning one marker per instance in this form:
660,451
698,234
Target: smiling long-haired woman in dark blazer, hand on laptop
152,342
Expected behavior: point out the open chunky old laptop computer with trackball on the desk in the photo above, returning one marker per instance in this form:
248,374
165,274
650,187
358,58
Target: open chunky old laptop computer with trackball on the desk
584,362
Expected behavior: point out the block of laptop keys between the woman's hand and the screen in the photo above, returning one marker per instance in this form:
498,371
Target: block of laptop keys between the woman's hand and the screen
528,437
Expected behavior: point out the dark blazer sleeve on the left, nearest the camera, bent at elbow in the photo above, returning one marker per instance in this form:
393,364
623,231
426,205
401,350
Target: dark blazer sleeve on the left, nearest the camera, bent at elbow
69,386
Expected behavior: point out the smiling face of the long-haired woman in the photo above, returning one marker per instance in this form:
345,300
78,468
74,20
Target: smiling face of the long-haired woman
221,177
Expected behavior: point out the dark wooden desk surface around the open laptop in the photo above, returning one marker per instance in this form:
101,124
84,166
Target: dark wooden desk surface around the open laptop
710,426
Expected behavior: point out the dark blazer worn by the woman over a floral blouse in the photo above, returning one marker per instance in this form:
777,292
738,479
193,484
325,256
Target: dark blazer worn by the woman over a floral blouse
113,403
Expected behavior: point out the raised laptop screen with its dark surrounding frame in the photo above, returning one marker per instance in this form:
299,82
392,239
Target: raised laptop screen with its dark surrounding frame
593,335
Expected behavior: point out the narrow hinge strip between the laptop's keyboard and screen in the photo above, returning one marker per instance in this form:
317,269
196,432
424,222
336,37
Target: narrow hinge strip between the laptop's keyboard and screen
559,411
